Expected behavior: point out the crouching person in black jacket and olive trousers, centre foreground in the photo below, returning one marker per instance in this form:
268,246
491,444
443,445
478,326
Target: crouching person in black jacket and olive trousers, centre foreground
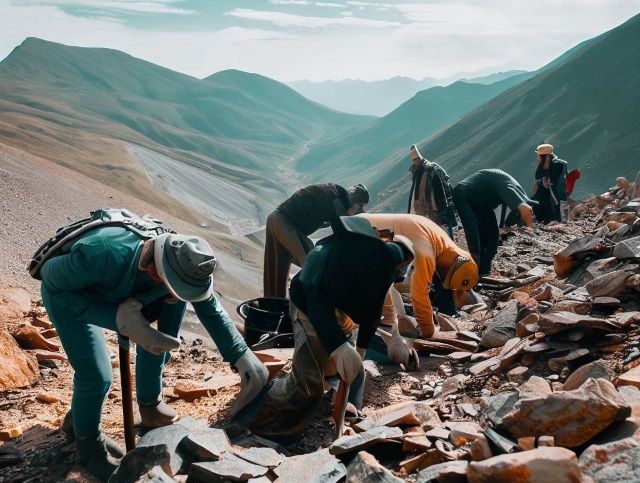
344,281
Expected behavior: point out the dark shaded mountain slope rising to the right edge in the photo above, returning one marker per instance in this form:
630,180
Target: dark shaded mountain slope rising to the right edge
591,115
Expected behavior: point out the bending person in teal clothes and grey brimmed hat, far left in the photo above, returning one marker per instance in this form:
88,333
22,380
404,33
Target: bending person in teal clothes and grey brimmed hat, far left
103,283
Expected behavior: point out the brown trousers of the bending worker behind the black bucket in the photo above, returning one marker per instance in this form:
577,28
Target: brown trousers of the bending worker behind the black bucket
284,244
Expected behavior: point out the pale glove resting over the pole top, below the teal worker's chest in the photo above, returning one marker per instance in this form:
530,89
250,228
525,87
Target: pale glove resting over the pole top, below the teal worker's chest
132,324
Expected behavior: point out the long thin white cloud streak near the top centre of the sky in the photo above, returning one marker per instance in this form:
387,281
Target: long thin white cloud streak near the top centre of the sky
289,20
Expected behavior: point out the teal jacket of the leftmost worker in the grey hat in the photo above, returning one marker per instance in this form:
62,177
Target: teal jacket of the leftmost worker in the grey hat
101,270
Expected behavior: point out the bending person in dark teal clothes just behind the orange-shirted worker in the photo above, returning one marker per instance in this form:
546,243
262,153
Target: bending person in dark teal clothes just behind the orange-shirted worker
476,198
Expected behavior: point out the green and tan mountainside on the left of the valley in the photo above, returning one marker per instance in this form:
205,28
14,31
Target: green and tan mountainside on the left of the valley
86,108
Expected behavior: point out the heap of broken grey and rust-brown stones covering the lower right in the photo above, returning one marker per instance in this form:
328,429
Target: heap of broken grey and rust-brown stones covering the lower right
537,380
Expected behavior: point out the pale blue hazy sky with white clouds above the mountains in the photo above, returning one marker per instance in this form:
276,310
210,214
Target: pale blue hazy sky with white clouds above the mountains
307,39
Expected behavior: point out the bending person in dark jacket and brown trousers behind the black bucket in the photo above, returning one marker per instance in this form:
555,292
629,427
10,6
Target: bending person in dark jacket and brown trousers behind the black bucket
289,226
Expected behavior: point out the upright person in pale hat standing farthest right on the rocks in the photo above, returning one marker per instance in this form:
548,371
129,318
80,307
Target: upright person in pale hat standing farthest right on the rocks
549,189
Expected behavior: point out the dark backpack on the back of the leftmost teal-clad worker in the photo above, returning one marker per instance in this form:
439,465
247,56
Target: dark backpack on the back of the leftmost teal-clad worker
145,227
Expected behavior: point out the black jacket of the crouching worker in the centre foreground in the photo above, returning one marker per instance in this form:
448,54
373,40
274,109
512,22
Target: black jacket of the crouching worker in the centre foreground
348,272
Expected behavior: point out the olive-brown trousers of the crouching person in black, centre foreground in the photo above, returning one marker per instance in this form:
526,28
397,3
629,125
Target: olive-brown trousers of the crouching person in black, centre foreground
293,401
